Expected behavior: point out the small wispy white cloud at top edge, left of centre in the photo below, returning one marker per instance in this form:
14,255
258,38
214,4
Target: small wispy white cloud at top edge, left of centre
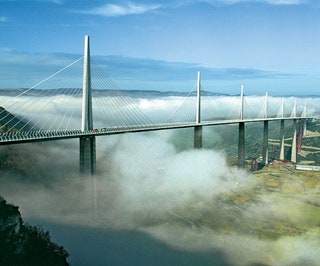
116,10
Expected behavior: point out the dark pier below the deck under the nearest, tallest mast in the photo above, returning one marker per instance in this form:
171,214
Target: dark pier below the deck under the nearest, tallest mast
88,155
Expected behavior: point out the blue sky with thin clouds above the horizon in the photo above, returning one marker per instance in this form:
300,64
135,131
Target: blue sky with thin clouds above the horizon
267,45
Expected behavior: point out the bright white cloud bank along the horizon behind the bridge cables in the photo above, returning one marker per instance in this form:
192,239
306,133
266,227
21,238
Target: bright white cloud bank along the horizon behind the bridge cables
62,112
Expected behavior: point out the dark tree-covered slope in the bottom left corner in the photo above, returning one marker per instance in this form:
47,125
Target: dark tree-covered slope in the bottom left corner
22,244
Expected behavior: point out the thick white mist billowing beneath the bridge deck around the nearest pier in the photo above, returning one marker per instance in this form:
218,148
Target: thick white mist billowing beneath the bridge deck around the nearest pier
139,175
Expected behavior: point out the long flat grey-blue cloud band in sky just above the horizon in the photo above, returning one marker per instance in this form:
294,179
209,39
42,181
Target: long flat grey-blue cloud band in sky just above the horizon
25,70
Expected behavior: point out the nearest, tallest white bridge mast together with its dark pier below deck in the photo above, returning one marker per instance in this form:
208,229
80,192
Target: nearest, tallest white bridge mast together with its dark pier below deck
87,144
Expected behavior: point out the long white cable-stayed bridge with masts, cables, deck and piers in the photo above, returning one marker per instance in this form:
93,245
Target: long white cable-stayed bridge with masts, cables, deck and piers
81,101
